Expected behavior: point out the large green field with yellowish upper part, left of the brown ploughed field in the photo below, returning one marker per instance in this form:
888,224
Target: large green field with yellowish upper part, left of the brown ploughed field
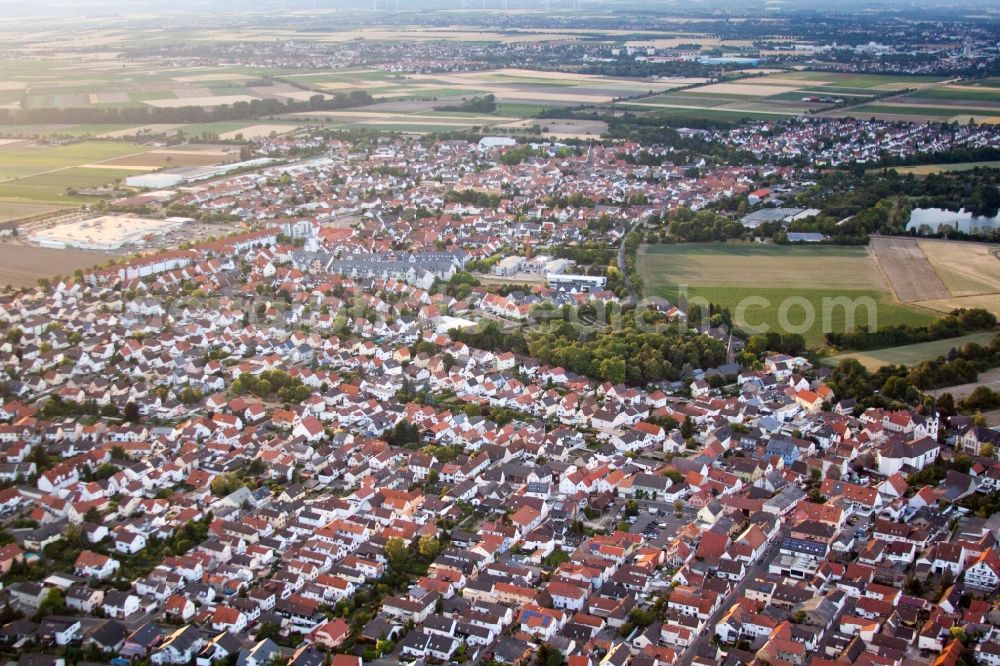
793,281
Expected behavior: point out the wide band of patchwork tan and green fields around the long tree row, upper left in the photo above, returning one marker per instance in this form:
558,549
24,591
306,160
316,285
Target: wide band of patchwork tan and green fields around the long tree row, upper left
105,82
